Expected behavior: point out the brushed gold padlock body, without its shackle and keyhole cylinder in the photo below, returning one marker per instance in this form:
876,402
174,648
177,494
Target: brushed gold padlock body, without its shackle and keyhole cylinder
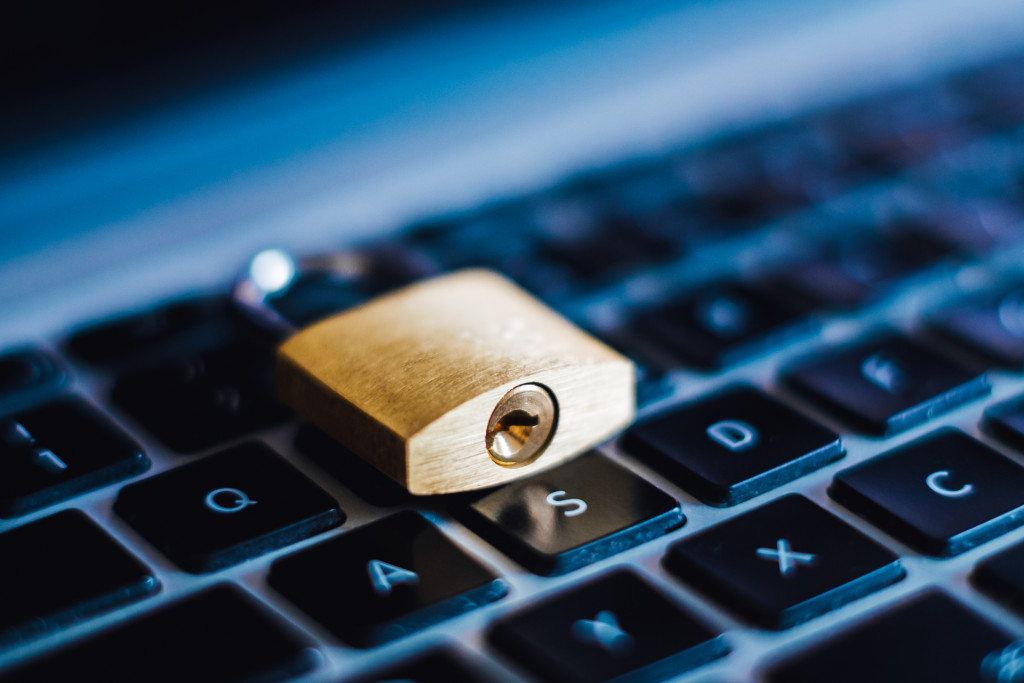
409,381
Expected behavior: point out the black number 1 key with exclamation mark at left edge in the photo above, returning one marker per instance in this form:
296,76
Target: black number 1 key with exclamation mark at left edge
61,450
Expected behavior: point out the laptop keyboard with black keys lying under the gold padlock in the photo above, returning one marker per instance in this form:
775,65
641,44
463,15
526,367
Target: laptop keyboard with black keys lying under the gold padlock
826,482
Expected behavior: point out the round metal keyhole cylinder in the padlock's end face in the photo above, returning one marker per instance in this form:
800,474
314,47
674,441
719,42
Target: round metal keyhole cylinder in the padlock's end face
522,425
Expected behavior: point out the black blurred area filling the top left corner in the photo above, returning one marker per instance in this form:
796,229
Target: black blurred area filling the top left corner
67,66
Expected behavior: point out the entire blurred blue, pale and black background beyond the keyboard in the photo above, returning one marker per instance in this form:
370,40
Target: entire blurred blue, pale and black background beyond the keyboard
135,139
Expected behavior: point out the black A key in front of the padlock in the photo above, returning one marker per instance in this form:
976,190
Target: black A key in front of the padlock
386,581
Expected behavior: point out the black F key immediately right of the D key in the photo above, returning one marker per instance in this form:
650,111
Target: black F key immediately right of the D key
886,387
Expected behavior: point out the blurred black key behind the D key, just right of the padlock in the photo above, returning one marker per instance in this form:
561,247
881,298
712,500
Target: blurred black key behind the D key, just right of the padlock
723,325
